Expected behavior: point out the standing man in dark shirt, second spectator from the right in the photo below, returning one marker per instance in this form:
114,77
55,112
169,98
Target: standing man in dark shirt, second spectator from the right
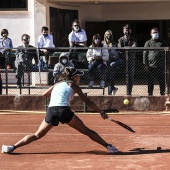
128,41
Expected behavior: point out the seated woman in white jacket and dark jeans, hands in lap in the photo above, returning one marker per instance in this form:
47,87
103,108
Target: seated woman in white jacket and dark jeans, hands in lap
97,59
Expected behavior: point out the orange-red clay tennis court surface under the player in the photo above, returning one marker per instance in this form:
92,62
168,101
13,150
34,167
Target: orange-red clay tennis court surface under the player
63,148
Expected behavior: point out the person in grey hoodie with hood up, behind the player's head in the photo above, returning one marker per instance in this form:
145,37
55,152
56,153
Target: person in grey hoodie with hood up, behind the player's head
61,65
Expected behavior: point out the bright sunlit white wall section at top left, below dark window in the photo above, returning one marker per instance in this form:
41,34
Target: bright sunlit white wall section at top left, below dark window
18,23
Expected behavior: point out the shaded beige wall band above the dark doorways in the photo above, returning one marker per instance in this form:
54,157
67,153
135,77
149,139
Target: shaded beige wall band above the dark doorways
122,11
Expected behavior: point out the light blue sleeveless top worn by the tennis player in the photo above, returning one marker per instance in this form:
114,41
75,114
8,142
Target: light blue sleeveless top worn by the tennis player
61,95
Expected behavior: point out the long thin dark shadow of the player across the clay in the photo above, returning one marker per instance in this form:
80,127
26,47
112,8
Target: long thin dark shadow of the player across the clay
135,151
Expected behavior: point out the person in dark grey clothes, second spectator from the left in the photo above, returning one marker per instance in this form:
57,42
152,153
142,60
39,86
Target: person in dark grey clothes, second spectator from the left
24,57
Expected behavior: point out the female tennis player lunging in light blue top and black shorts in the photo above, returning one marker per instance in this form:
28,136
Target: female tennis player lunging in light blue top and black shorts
59,111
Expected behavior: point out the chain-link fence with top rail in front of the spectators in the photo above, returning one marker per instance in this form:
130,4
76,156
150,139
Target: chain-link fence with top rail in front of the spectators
135,71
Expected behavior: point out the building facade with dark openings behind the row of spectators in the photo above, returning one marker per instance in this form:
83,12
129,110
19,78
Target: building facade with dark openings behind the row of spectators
94,17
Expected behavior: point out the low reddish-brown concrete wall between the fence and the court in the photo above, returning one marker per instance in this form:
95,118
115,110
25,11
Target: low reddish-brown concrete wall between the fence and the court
36,103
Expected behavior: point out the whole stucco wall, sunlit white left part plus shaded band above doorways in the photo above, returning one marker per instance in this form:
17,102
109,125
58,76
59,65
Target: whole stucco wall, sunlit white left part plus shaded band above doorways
31,21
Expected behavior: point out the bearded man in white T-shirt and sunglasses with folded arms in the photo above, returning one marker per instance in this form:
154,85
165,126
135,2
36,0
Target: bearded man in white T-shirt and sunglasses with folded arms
77,38
